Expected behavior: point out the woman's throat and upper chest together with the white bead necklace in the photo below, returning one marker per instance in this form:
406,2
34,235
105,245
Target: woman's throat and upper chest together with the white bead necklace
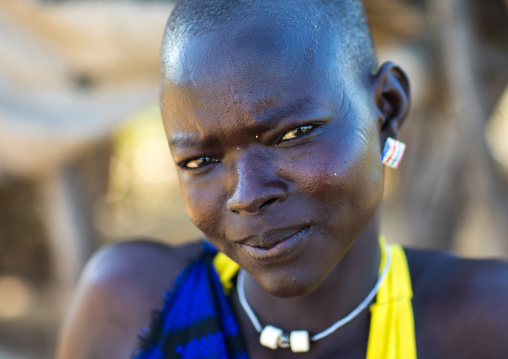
338,309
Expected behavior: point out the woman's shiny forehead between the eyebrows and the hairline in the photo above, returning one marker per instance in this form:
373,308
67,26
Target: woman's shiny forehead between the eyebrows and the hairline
251,66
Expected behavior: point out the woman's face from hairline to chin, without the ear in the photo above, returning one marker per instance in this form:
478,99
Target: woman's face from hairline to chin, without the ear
279,161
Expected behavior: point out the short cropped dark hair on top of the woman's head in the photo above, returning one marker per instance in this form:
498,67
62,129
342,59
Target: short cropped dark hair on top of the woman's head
343,21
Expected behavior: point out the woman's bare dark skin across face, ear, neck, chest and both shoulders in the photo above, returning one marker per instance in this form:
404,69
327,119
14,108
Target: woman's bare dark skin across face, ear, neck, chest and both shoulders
272,148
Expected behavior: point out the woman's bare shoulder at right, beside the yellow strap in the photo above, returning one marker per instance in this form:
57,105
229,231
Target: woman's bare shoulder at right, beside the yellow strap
461,305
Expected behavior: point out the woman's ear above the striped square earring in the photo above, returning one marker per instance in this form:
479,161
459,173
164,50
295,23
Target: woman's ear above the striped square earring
392,97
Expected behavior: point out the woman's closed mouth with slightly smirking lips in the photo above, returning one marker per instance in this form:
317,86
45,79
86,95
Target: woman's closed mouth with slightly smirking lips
275,244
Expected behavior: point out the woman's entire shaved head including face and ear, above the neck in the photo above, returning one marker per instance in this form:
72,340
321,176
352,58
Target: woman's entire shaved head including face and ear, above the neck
275,112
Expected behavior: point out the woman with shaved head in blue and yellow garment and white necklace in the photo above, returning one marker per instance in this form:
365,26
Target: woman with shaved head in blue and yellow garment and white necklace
277,116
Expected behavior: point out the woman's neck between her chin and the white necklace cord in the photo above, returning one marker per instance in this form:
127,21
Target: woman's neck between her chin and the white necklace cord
343,290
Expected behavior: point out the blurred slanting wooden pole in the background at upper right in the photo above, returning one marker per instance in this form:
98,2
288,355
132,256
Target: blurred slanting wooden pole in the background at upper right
456,33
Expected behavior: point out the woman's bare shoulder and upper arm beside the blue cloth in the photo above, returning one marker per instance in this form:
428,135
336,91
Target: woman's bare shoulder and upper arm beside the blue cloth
120,287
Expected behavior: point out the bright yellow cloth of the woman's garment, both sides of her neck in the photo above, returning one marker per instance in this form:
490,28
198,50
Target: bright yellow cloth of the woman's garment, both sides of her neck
391,333
